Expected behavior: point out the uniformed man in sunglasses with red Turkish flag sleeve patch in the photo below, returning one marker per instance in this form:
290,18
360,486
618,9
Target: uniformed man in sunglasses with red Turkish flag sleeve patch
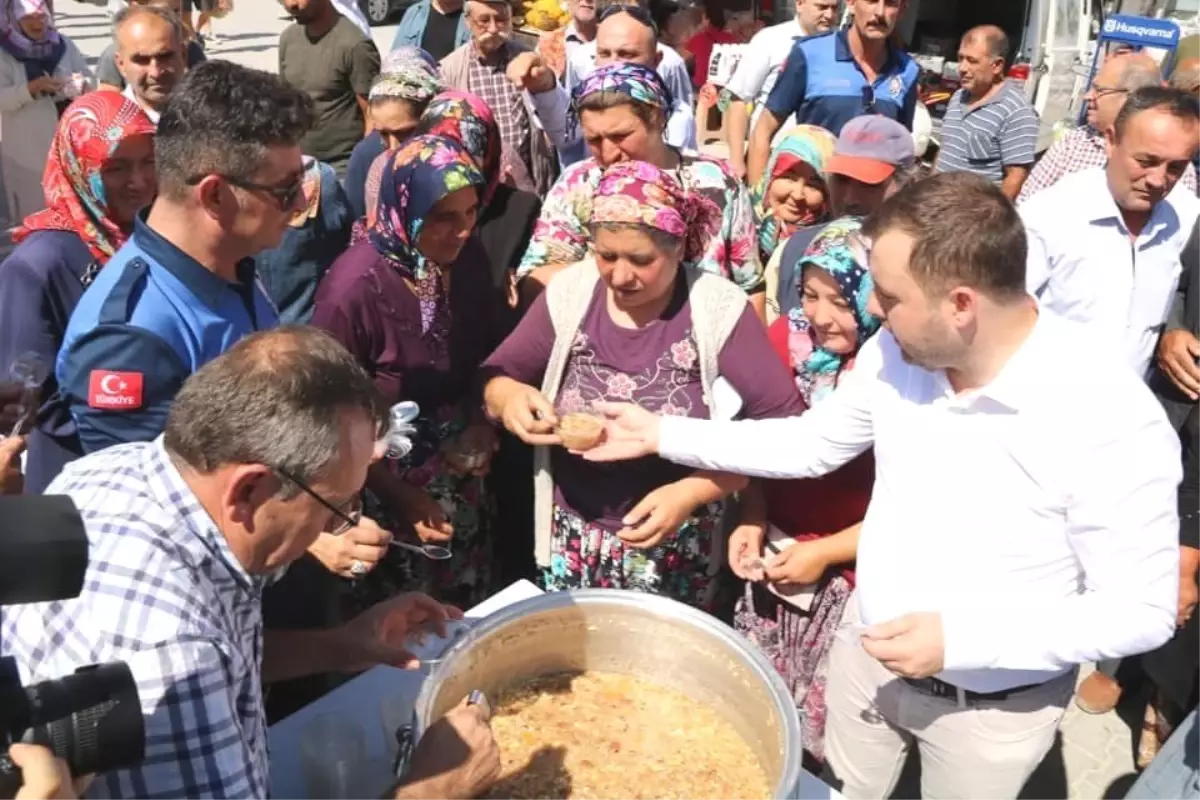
183,290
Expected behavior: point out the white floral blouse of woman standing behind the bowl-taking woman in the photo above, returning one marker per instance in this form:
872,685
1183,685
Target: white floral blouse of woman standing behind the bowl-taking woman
731,250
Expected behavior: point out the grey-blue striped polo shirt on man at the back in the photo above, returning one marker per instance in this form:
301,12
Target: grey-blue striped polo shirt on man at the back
1000,133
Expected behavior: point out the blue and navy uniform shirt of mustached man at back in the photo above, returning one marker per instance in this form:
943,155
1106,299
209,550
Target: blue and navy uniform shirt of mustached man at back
824,86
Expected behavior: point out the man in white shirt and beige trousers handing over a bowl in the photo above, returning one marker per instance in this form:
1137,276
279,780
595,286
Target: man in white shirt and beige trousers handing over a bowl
1023,519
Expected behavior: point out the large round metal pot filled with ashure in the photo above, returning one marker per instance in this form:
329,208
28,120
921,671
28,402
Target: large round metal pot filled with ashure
607,695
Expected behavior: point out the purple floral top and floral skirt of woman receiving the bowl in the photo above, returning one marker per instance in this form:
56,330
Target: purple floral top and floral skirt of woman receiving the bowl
658,368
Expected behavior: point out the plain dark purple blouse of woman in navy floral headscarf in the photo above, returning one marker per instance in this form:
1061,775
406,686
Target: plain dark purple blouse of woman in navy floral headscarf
368,308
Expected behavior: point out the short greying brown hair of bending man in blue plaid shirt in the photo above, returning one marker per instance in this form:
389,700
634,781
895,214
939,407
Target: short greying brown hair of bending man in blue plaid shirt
274,399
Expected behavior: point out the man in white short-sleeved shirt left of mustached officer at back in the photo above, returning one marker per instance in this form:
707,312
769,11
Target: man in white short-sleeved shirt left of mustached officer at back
759,69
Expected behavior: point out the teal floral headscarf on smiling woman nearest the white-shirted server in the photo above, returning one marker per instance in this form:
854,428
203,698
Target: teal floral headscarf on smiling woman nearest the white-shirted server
818,369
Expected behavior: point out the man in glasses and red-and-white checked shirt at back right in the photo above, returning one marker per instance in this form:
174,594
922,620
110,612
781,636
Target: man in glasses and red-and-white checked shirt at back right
1084,148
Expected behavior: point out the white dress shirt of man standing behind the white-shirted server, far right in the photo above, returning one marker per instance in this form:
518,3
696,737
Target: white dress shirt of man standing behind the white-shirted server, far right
1083,264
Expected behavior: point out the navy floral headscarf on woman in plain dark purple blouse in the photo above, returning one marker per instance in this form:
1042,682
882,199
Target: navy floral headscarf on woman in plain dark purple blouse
417,177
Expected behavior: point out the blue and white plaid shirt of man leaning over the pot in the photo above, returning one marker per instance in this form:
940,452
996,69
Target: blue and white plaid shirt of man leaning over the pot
165,594
